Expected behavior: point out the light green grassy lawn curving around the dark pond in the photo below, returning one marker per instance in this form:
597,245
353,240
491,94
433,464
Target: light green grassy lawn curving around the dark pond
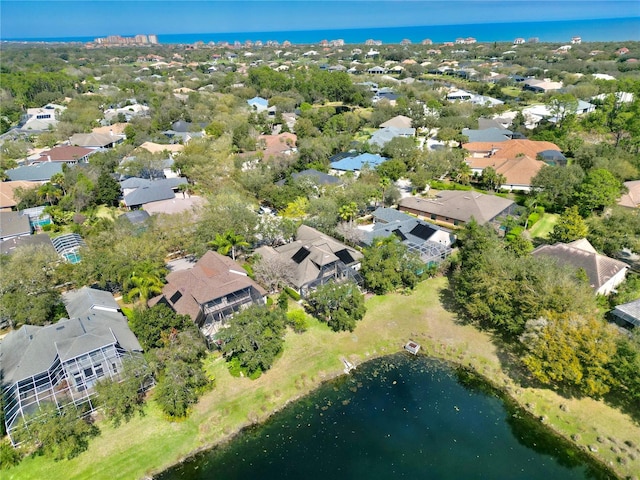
149,444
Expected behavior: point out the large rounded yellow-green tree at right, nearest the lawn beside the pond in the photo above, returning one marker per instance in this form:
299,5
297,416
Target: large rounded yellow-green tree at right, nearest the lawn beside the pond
571,351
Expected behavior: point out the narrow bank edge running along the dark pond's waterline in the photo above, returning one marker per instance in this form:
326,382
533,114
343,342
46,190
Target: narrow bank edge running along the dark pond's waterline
505,395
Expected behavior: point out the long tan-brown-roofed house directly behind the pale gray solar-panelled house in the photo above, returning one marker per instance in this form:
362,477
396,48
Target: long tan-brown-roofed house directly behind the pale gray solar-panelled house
456,207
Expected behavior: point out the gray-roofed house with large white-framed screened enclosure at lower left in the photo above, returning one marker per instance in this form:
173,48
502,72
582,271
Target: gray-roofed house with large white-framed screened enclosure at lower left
60,364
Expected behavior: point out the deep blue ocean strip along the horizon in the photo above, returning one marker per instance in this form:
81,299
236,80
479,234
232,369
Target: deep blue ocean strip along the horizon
607,30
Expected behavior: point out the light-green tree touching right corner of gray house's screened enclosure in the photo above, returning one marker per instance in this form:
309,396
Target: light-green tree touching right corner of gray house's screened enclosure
122,400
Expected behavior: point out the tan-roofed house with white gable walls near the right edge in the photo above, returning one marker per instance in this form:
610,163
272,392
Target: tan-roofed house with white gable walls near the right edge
604,273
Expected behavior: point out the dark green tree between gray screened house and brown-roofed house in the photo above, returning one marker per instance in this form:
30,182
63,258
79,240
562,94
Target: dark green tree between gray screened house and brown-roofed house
149,325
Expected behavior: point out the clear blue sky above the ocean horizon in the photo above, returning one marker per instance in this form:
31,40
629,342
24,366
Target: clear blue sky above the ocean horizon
79,18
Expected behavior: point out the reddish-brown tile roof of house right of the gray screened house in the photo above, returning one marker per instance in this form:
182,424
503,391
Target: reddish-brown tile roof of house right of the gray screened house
213,276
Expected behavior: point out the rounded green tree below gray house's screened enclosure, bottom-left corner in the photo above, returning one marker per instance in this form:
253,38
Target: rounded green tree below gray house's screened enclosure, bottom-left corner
60,434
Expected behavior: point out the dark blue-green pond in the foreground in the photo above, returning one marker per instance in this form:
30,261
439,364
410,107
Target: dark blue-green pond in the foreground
396,416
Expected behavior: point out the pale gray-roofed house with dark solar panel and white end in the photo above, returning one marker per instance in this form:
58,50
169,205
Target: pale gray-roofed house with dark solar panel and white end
430,242
